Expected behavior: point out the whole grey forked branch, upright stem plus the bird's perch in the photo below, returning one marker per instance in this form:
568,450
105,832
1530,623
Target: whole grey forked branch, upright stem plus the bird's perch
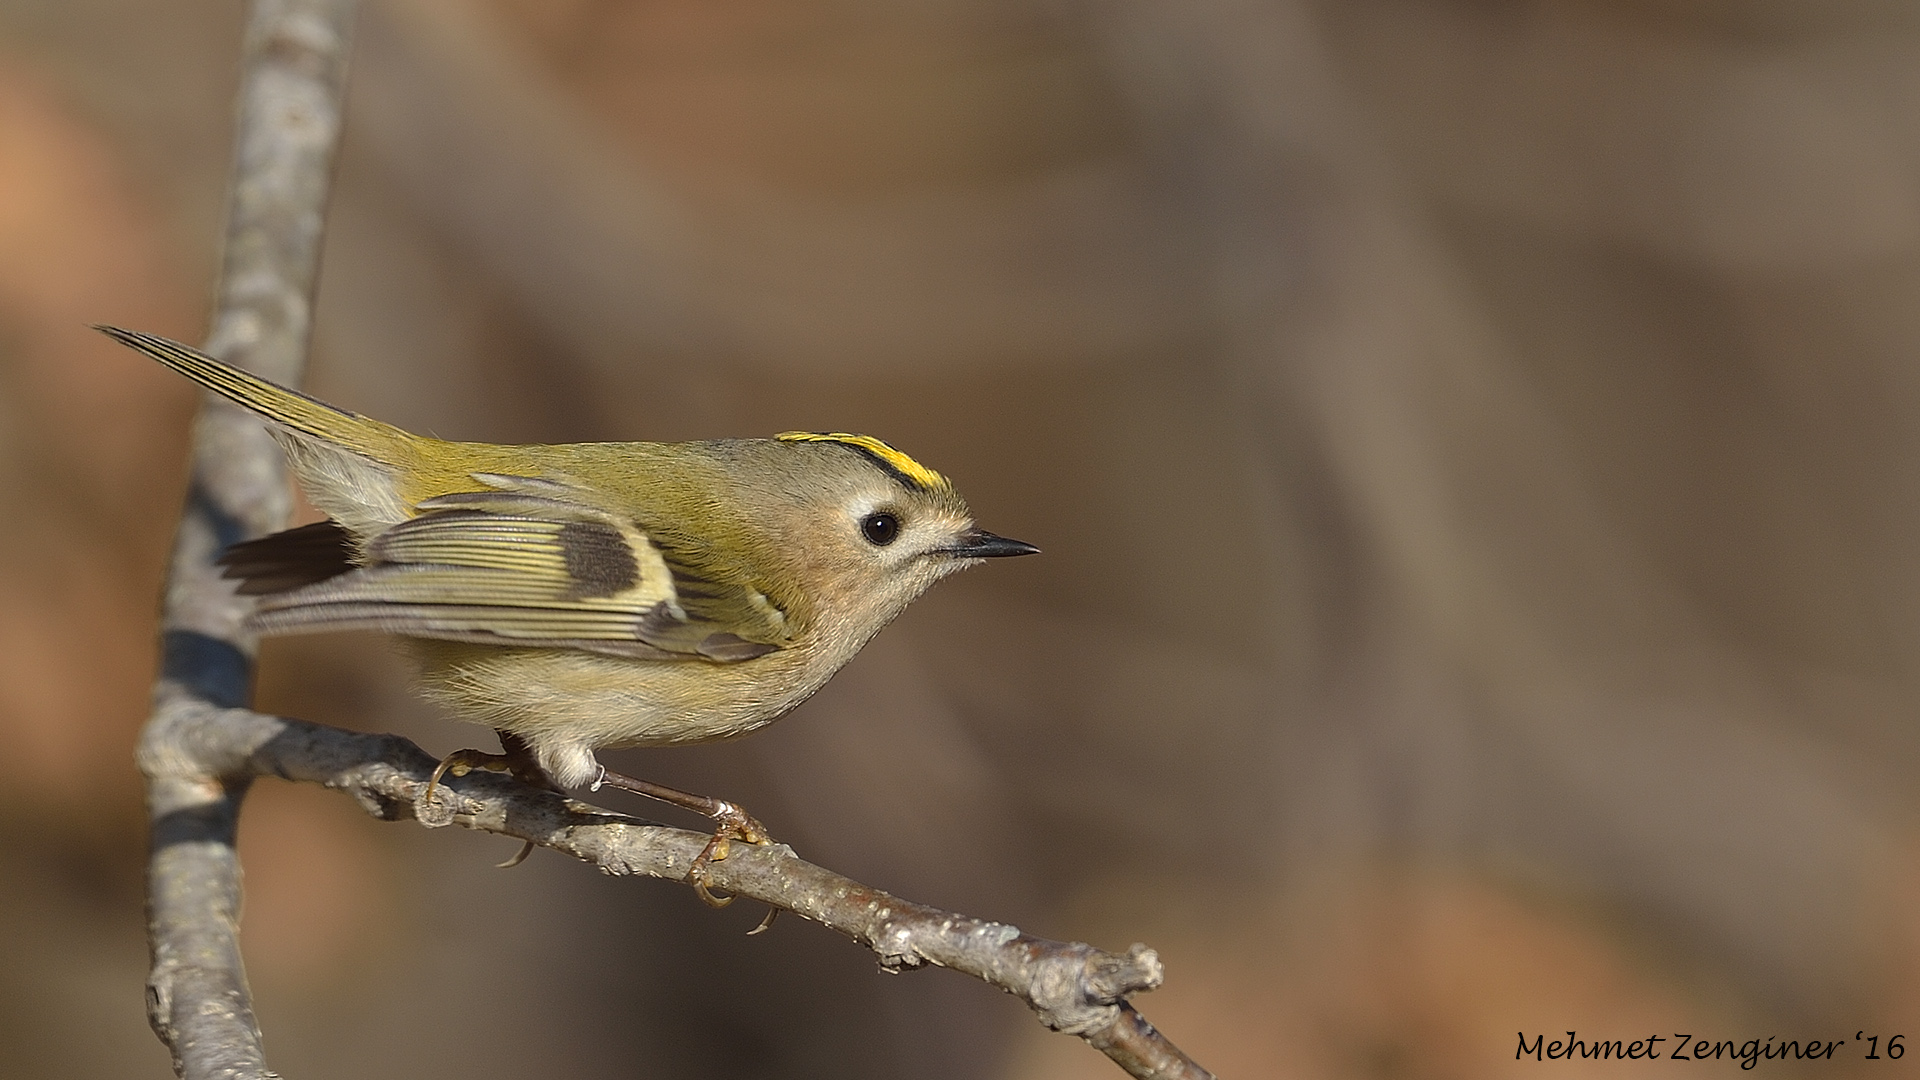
201,749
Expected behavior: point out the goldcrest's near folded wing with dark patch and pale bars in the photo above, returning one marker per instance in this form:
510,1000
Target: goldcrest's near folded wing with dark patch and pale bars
527,564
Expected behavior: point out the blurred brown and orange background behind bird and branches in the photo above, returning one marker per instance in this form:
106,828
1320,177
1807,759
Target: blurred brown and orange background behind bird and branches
1476,445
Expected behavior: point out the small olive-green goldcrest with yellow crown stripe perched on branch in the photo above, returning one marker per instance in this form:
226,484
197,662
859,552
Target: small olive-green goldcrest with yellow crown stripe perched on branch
600,595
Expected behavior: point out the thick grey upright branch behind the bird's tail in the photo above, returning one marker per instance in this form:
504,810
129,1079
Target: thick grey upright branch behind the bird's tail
193,747
